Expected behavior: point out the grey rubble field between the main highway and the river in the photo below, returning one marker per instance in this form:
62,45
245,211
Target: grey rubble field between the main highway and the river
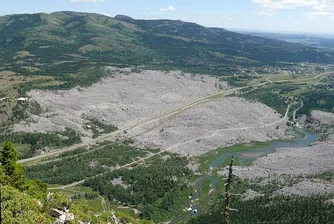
223,122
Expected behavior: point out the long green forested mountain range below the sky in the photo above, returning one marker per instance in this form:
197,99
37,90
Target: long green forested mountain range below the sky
62,42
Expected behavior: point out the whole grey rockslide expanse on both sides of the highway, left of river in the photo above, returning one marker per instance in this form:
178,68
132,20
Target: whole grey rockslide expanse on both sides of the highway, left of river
179,112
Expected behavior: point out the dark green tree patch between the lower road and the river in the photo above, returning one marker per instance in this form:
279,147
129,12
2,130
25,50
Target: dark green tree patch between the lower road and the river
160,189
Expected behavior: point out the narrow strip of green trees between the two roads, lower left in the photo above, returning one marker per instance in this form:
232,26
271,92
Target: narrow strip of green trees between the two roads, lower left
83,165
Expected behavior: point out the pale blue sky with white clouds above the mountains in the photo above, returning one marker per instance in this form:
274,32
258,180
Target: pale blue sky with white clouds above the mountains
314,16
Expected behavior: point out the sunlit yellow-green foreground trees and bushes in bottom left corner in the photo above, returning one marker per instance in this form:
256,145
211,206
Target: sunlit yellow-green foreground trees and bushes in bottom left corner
28,201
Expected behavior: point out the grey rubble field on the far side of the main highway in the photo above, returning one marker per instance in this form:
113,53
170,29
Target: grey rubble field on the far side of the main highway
119,100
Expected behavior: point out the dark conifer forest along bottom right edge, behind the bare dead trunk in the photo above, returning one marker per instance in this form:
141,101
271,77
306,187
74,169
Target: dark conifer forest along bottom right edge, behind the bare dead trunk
278,209
